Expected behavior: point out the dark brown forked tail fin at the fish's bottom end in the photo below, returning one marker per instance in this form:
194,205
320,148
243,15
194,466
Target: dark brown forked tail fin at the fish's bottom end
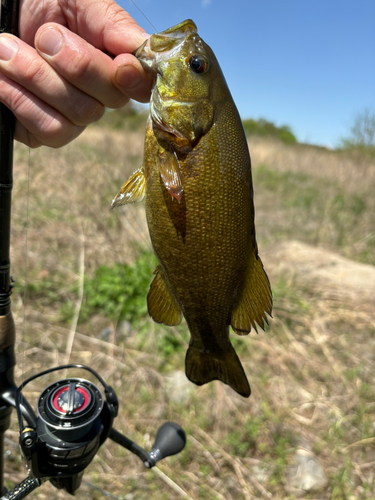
202,367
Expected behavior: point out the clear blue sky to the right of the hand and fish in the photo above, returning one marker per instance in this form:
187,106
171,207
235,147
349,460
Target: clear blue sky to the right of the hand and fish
309,64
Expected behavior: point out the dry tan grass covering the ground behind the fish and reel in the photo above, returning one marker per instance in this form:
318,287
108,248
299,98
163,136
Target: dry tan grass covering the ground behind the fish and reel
311,373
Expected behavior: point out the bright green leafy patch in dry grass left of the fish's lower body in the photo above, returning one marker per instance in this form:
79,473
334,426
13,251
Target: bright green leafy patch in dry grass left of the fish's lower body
117,292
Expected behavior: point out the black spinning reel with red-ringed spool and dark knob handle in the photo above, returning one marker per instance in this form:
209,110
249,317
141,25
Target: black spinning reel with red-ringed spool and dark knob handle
73,420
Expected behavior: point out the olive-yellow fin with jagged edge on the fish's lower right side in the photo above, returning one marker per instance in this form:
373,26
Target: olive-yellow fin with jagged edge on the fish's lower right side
255,300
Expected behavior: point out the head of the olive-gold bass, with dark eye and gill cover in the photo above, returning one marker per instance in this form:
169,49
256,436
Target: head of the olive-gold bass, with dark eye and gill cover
185,73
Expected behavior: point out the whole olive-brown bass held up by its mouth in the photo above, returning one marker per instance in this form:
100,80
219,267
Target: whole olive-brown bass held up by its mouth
197,185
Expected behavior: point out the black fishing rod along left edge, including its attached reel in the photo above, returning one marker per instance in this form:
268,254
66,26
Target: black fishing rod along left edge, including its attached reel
73,416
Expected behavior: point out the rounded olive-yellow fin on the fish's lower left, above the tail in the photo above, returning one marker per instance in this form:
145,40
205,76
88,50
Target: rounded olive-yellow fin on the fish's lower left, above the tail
162,306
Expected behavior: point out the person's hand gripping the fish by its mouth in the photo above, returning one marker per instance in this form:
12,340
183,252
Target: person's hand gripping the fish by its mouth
57,77
